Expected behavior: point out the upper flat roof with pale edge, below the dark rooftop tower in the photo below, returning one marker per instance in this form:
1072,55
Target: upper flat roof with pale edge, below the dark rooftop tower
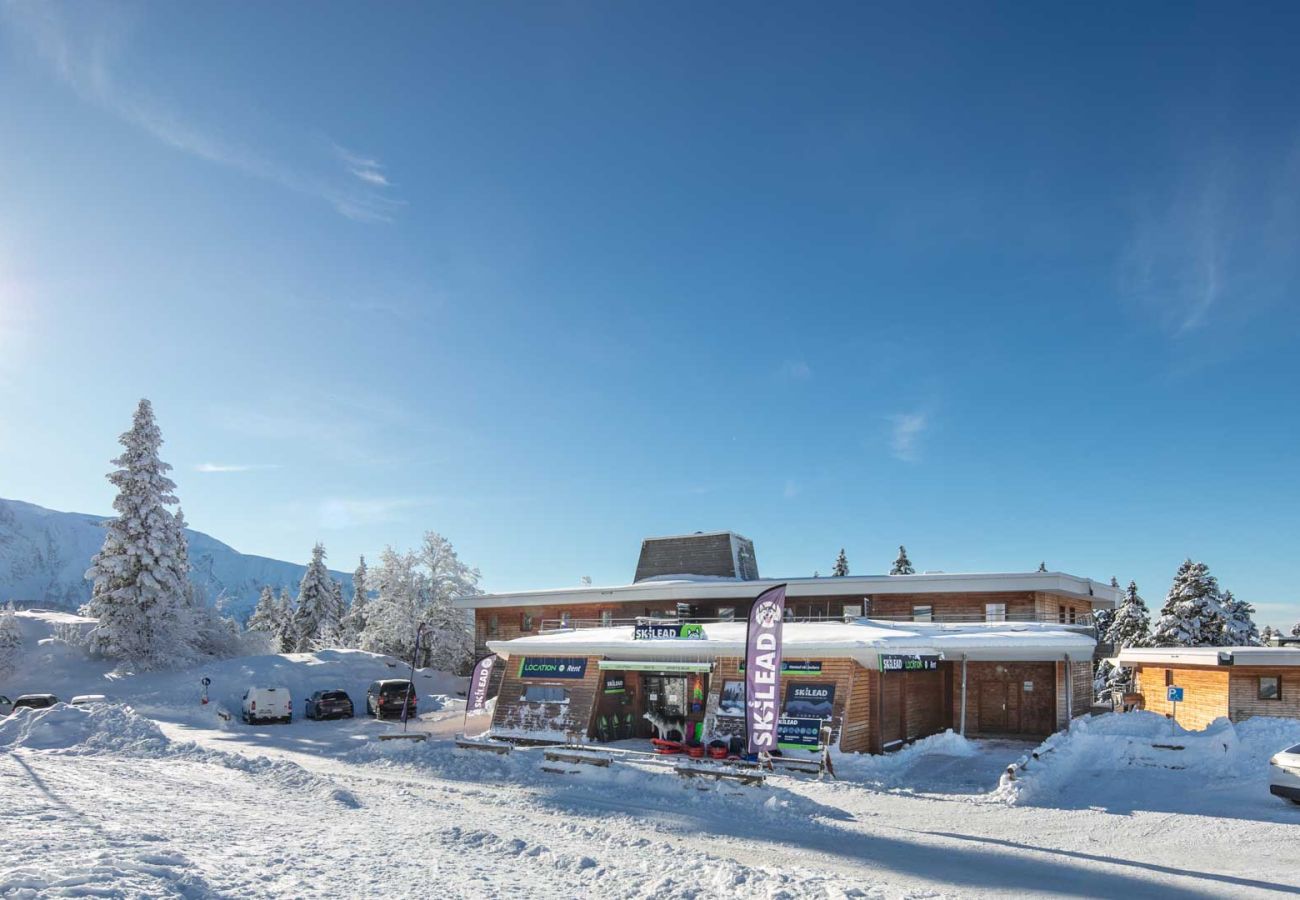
688,587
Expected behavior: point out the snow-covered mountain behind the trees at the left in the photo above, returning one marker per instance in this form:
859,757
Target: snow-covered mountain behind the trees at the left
45,556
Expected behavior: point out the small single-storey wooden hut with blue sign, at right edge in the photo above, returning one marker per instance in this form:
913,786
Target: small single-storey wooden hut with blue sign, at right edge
1234,682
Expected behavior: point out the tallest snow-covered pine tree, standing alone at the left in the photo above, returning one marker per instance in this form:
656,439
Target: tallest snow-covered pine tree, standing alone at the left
136,594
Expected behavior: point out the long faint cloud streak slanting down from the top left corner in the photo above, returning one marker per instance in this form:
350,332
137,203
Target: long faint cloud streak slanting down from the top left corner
83,49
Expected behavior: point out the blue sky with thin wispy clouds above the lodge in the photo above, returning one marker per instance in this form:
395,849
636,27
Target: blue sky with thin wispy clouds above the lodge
1006,285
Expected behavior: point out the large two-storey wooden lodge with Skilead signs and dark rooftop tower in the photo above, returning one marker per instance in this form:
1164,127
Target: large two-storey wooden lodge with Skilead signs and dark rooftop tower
882,660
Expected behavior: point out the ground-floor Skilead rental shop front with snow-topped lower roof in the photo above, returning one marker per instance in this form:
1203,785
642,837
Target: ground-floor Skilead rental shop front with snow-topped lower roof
866,686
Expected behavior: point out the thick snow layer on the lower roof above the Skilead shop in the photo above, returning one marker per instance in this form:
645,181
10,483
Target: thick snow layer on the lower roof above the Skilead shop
861,639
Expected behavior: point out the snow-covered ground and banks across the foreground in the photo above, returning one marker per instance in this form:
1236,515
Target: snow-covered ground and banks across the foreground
157,797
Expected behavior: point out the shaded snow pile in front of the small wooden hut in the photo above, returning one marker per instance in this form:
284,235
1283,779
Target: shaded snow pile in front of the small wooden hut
1110,745
